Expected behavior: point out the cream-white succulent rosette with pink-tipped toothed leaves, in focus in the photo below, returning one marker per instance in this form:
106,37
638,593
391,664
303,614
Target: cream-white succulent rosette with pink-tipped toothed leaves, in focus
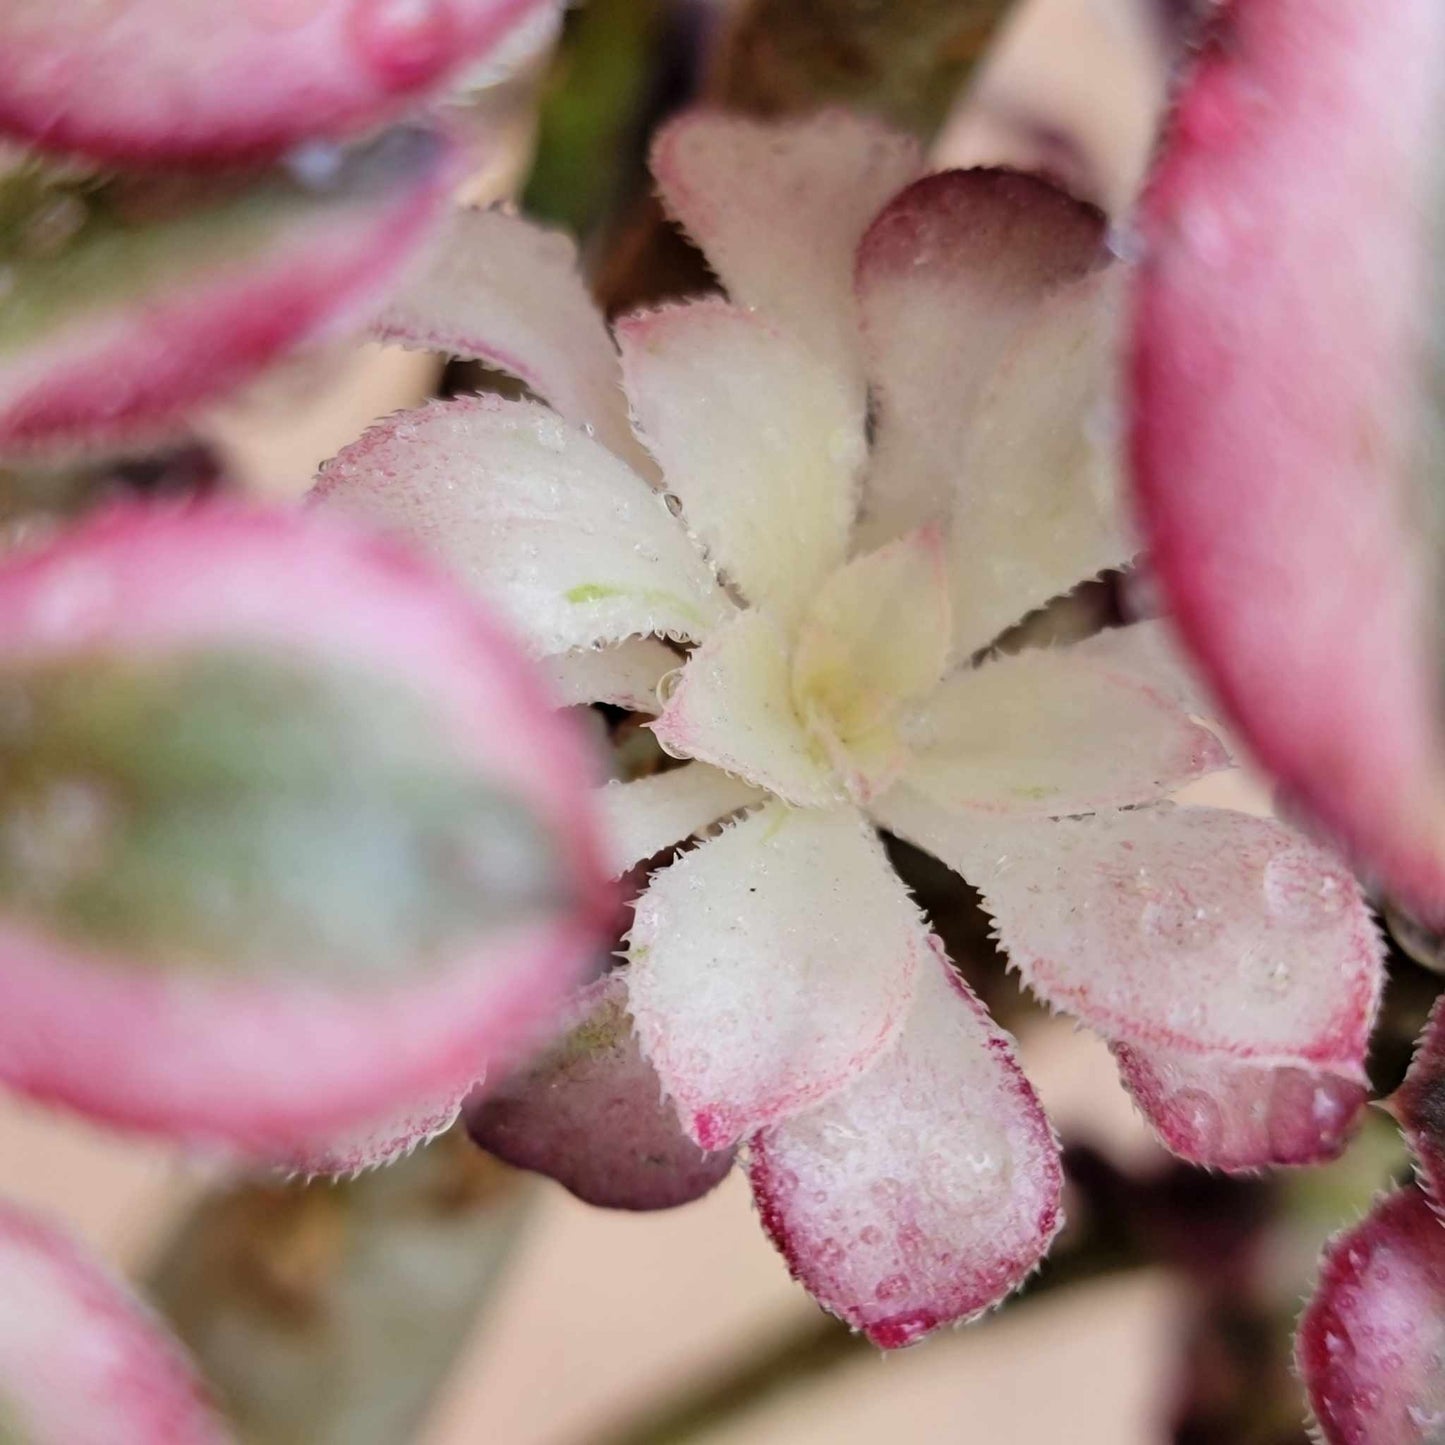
884,450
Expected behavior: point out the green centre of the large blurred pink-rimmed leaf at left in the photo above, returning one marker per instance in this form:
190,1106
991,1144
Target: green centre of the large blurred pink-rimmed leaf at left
252,814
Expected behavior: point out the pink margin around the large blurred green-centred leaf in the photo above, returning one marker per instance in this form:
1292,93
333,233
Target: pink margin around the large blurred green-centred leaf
269,1070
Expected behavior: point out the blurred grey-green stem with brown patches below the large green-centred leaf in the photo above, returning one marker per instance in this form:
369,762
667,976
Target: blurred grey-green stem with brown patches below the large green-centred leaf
329,1314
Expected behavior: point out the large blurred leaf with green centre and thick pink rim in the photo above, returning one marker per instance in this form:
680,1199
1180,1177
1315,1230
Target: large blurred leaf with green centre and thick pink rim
293,837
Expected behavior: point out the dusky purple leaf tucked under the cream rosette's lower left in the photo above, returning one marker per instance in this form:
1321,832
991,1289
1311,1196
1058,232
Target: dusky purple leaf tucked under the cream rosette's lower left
590,1113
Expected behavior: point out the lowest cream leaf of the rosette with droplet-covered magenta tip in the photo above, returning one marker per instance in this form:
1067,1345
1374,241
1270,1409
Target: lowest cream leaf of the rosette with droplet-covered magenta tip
928,1190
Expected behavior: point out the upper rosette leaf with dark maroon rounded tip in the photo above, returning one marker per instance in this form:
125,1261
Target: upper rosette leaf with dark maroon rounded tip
947,277
